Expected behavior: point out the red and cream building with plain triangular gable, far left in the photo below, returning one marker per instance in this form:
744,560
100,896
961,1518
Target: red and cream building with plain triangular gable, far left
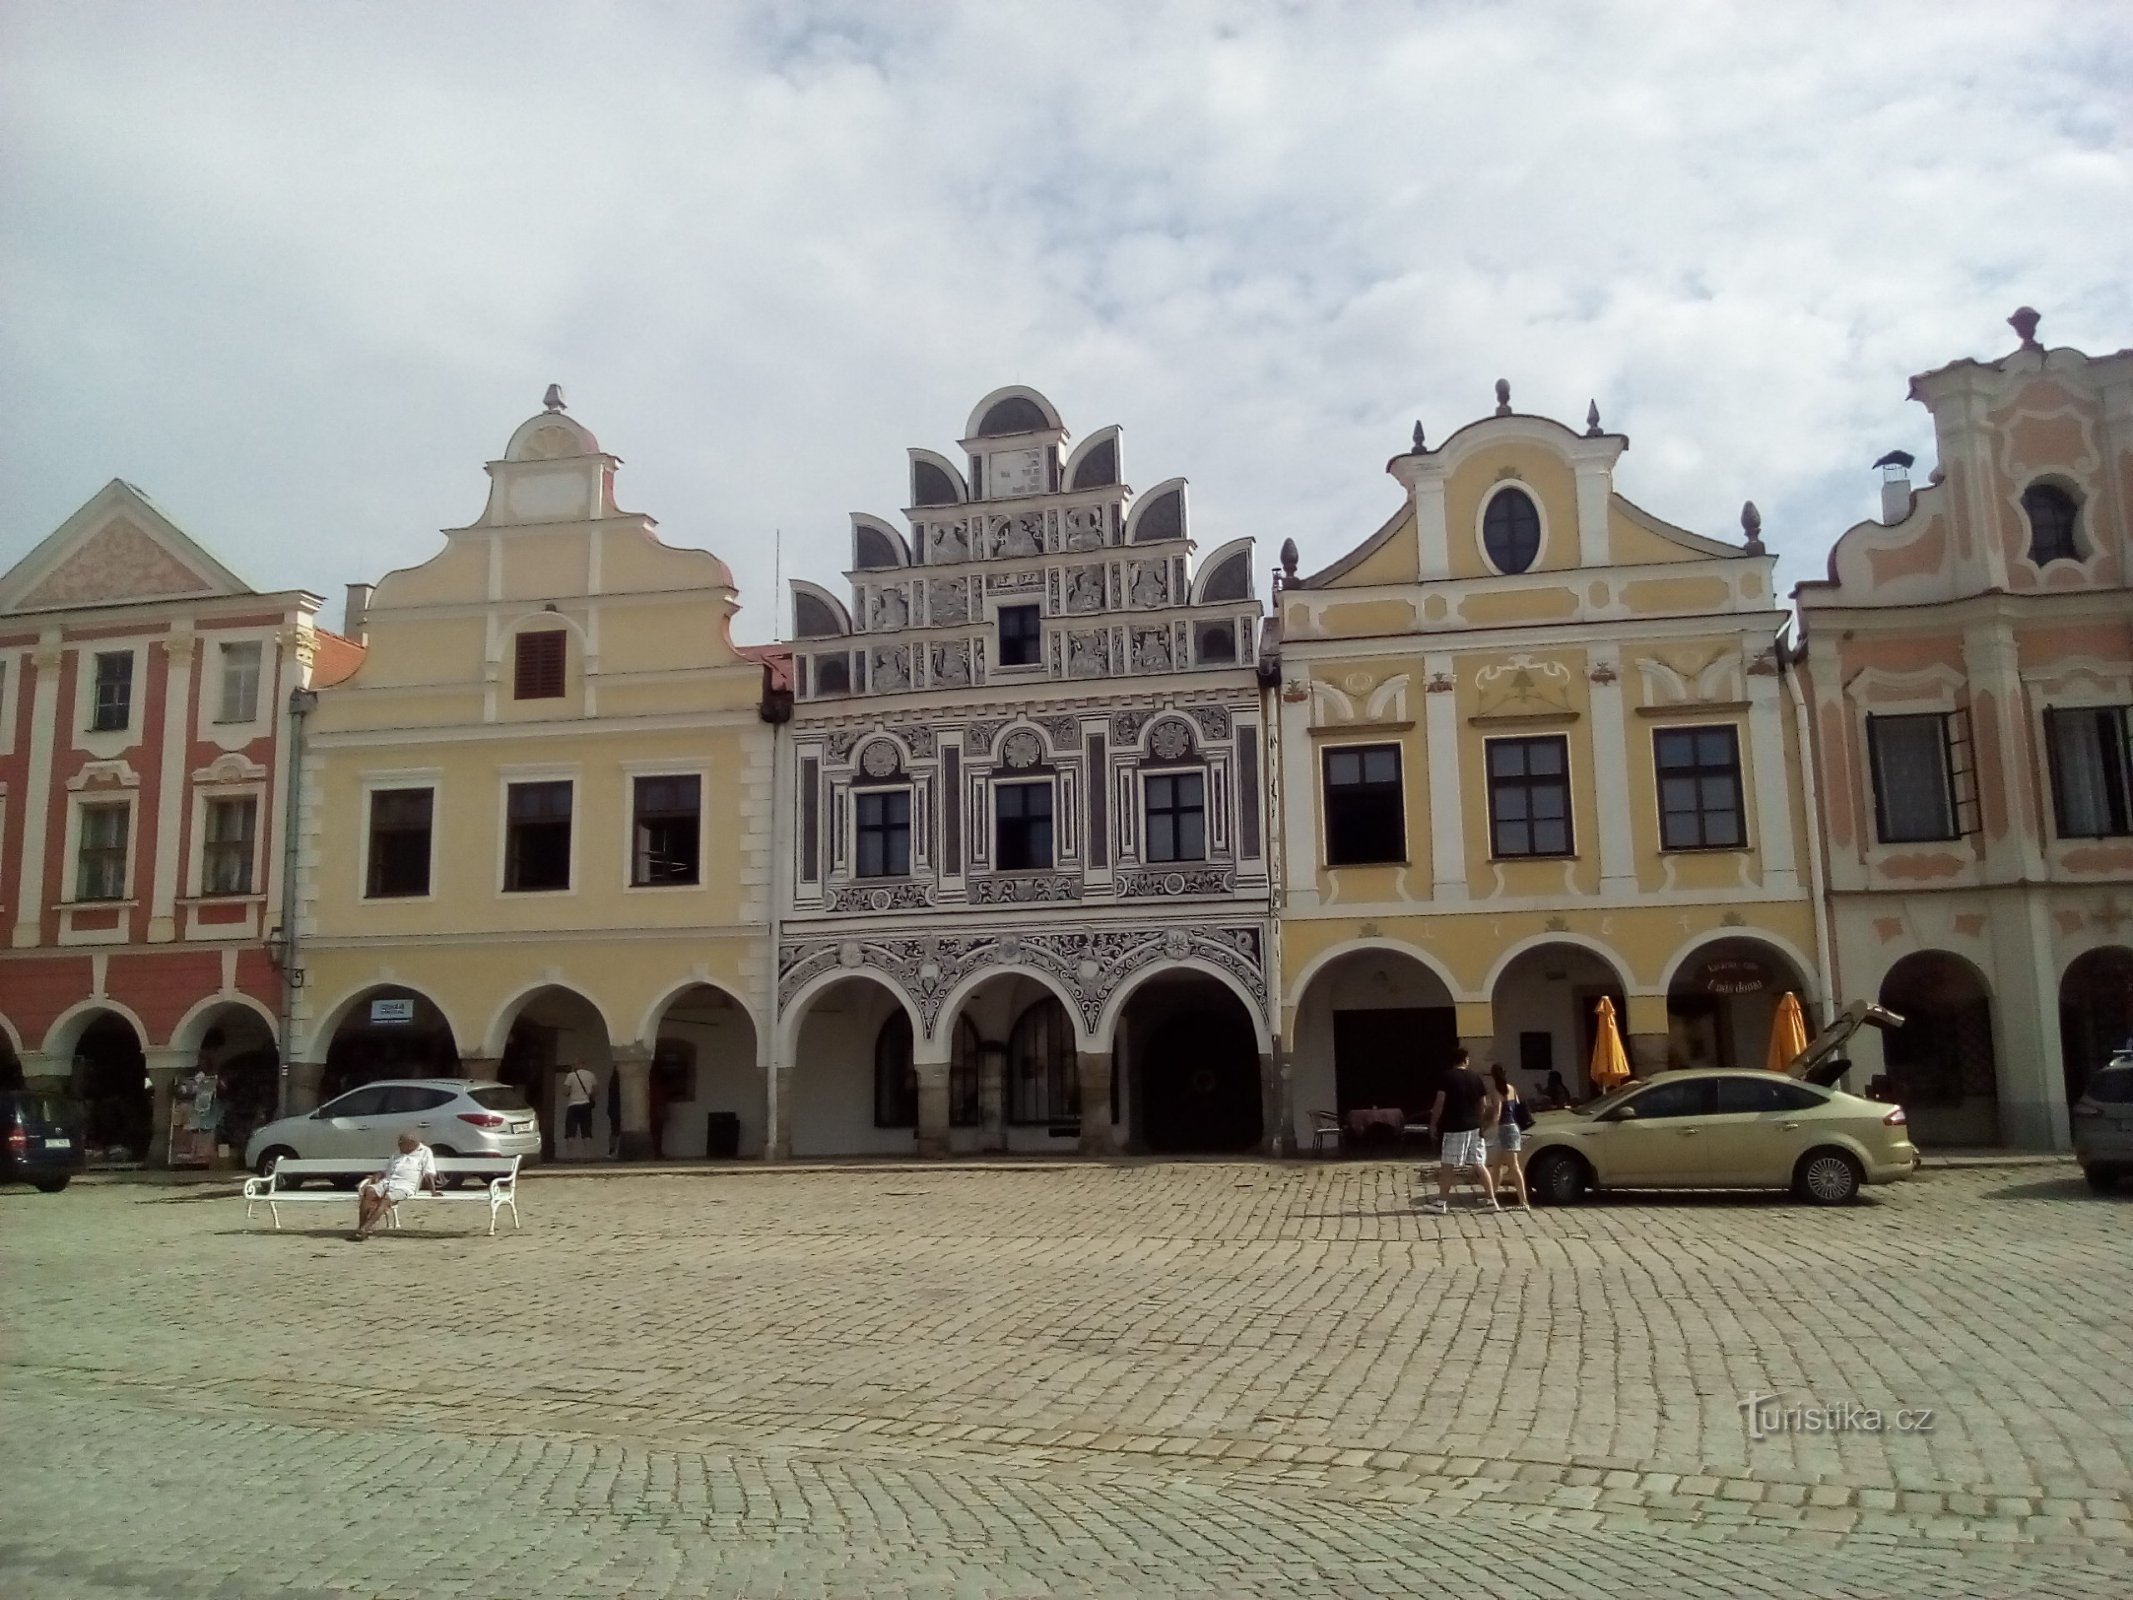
144,705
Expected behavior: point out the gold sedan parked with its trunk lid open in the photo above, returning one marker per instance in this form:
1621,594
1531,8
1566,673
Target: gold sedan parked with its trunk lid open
1720,1130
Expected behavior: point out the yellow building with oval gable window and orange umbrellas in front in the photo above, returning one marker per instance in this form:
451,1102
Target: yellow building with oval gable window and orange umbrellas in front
1537,752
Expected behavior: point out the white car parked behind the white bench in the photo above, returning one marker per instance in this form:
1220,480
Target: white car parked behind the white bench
455,1117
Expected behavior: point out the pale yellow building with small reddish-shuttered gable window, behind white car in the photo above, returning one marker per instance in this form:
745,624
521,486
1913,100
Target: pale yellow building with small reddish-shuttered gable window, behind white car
536,822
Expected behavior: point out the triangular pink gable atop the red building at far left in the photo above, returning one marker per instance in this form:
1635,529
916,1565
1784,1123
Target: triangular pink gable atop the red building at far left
112,551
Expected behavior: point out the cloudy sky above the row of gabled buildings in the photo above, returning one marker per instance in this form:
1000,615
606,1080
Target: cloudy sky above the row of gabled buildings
298,270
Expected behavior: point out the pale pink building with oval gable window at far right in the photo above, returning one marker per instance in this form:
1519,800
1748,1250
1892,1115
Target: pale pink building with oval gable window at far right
1970,679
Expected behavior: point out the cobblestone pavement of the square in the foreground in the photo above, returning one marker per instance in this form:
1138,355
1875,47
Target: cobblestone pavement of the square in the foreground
1198,1379
